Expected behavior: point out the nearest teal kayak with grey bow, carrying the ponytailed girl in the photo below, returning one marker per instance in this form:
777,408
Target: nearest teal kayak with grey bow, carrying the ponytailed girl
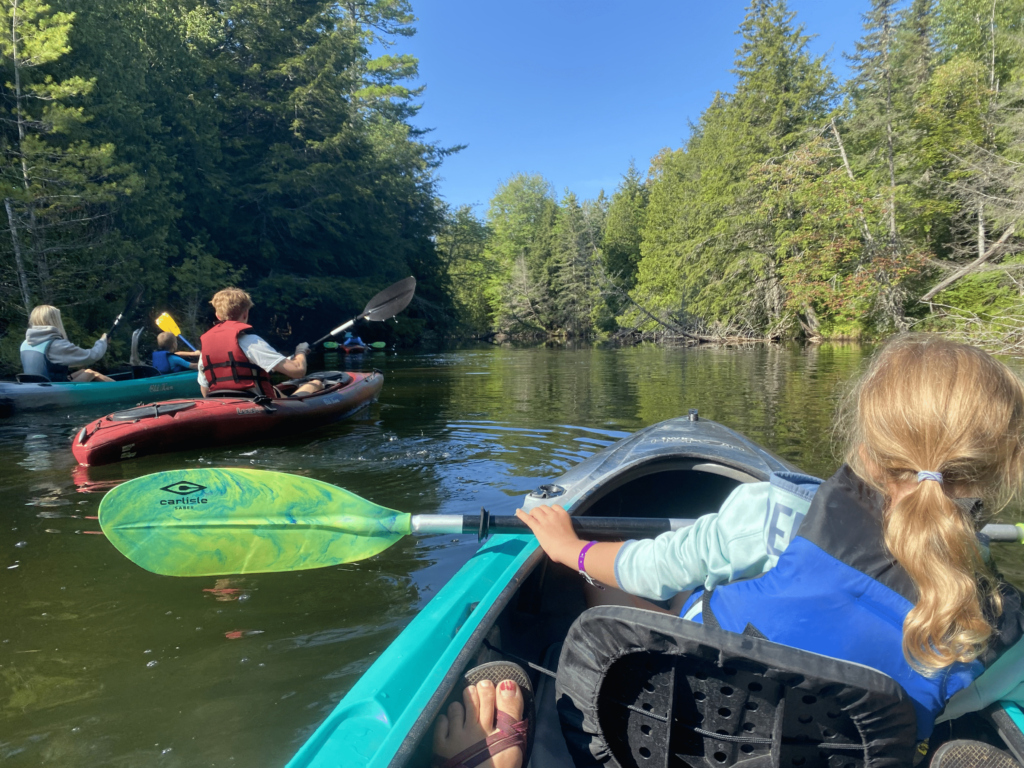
508,602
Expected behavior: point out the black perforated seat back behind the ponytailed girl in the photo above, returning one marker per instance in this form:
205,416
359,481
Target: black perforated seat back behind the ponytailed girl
639,689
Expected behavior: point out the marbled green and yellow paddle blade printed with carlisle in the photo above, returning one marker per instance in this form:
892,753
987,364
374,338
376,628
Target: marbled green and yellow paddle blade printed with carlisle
220,522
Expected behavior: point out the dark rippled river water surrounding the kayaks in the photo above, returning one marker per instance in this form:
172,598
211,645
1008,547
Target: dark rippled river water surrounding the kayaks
103,664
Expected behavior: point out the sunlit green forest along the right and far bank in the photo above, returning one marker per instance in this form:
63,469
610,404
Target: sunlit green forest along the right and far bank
800,207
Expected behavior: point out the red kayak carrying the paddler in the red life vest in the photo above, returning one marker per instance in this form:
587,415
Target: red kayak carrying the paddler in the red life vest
199,423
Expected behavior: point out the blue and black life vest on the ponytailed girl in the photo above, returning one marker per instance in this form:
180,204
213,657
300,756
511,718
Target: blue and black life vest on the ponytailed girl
836,591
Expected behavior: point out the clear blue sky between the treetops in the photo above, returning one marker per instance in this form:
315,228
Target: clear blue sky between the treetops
573,91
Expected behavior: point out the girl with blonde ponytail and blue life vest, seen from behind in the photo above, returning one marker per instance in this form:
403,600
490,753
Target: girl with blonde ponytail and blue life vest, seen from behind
881,565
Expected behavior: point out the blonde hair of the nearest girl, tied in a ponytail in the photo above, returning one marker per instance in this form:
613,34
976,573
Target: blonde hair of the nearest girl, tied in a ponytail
931,405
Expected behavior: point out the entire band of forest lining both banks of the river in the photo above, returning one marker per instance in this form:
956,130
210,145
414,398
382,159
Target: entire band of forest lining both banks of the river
271,144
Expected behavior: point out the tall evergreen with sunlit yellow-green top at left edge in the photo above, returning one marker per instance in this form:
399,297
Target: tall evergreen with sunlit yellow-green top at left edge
61,189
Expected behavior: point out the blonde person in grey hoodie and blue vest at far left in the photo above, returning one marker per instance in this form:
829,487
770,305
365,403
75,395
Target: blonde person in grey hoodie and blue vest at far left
48,353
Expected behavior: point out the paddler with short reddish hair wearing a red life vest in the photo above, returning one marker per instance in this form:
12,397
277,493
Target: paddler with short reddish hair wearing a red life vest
234,360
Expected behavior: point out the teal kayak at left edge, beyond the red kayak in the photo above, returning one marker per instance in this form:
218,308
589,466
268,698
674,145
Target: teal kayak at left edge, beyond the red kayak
16,397
